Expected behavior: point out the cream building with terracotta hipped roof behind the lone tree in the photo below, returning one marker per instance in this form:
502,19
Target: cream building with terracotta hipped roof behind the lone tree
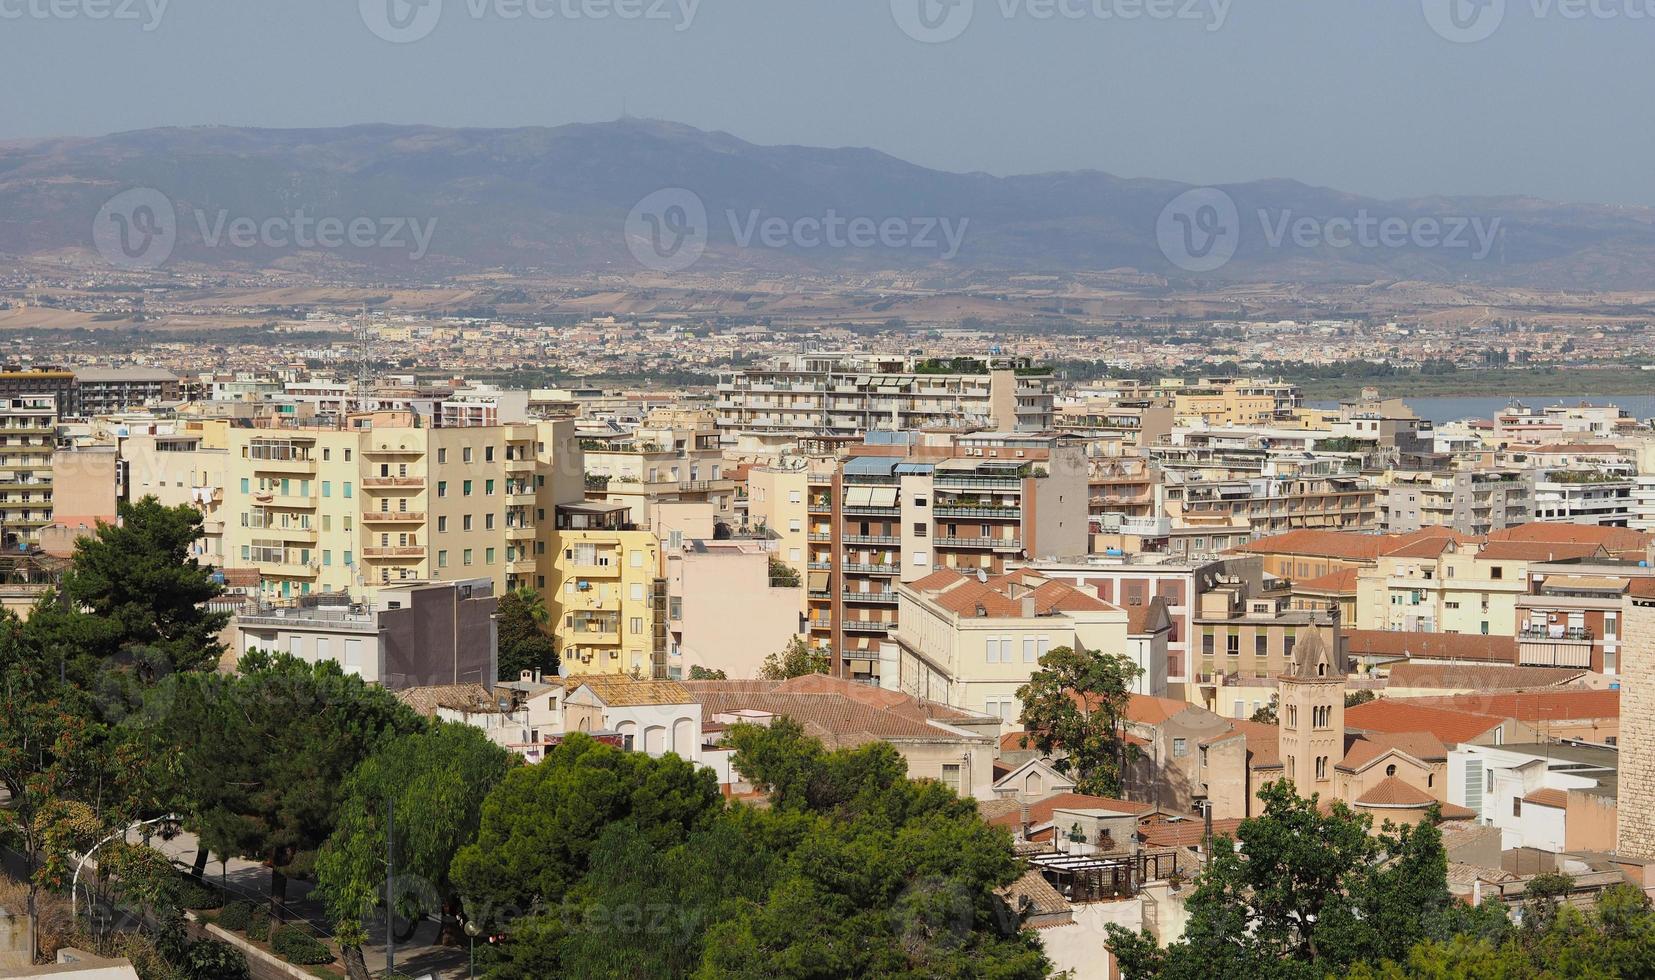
971,641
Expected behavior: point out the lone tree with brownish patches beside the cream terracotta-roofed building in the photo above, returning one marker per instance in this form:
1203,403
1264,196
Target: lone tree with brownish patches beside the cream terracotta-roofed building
1075,711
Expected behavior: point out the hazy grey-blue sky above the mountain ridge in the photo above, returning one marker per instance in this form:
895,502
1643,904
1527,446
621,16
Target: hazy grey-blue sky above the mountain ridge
1361,95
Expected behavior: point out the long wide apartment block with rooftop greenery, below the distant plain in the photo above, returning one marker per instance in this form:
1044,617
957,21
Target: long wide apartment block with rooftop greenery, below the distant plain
850,395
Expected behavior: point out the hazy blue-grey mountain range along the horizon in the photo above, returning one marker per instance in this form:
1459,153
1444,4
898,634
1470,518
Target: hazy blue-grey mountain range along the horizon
557,201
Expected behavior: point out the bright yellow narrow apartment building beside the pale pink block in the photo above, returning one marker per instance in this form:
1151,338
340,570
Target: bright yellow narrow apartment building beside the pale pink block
608,593
